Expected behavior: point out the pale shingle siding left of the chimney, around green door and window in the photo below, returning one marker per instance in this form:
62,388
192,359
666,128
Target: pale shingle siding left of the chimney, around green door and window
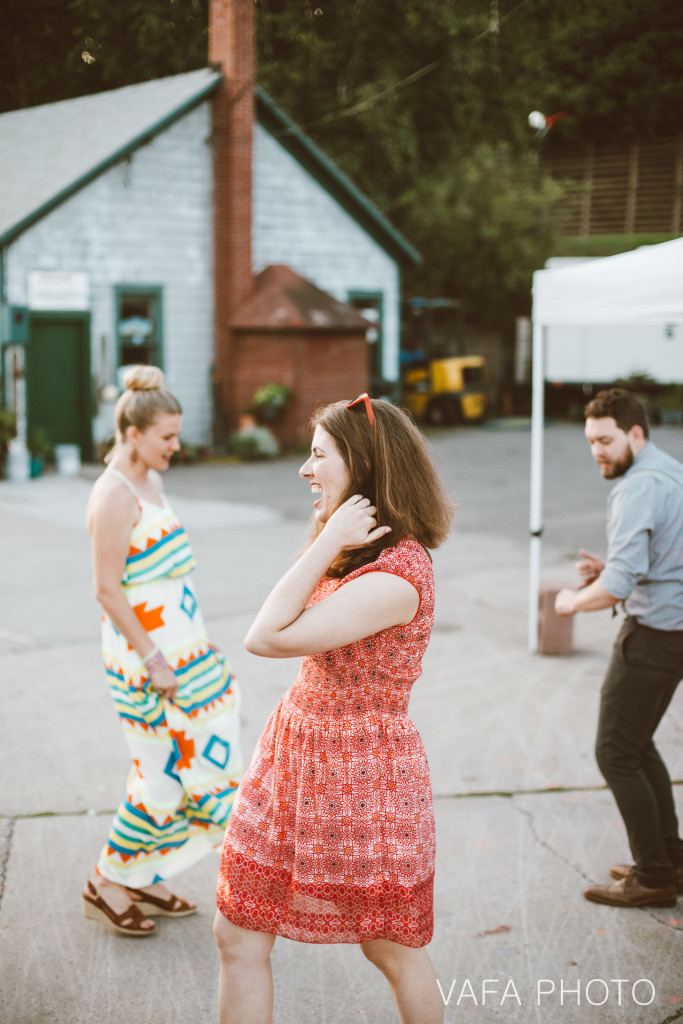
146,222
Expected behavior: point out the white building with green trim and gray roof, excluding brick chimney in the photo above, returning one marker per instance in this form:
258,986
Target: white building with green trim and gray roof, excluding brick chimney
108,253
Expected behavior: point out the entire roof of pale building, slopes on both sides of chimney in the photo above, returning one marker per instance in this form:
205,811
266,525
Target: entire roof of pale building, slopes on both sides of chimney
49,153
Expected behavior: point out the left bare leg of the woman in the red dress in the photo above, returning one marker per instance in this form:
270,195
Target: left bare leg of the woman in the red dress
245,987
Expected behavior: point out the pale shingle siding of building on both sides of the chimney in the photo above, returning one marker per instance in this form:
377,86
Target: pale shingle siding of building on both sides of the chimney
149,222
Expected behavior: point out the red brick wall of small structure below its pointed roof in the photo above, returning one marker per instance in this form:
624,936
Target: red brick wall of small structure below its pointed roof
319,367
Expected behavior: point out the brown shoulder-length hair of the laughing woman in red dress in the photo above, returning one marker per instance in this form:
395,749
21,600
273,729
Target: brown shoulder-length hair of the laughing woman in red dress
389,463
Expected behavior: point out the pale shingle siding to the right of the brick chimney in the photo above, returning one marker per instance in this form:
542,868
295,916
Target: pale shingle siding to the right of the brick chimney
296,222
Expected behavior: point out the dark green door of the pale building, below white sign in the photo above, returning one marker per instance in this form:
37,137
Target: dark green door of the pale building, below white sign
58,379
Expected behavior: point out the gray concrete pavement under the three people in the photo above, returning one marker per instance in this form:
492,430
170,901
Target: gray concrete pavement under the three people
524,822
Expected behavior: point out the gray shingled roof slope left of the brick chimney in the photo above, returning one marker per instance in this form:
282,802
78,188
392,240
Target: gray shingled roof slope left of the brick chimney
49,152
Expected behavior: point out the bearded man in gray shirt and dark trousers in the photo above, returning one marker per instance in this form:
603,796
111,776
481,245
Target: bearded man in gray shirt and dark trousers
644,570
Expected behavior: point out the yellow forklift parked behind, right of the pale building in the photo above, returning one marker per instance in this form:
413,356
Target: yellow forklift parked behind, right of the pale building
441,387
